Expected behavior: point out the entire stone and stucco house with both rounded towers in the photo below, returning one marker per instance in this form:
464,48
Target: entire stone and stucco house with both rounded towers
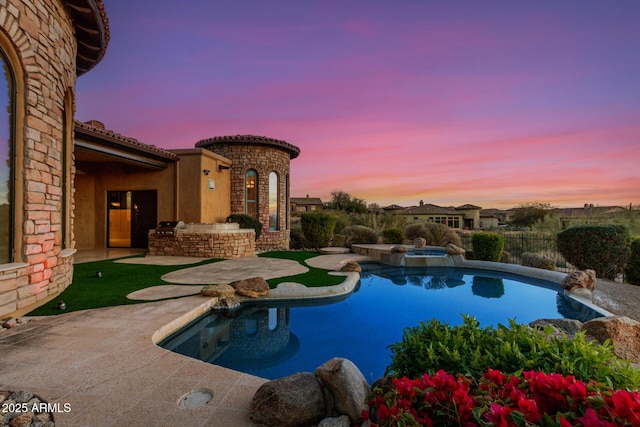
66,185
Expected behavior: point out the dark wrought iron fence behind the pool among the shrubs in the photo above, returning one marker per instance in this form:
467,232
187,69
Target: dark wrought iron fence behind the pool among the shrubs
517,243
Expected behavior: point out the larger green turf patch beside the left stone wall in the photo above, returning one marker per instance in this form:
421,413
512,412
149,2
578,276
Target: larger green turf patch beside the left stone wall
118,280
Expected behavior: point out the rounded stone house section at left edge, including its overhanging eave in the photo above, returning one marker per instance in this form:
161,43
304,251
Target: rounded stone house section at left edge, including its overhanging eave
45,45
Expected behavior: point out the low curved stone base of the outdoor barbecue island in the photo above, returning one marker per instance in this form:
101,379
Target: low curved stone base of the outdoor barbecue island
204,244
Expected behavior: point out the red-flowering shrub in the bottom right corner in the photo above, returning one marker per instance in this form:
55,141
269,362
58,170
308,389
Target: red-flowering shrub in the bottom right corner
496,399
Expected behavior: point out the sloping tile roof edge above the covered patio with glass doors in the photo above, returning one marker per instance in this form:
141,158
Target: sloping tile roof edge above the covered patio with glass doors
95,131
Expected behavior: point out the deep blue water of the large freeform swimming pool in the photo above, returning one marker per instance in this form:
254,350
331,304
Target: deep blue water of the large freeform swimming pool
276,341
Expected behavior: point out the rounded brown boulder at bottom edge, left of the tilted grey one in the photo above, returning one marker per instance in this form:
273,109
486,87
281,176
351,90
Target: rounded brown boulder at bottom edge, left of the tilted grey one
291,401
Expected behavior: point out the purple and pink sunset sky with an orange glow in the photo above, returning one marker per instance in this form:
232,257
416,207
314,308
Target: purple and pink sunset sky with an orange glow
491,103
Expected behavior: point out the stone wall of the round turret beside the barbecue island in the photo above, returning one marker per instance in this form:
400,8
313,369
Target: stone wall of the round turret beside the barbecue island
264,160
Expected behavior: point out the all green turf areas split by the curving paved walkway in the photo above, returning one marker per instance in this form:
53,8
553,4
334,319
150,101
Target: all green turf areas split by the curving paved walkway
119,280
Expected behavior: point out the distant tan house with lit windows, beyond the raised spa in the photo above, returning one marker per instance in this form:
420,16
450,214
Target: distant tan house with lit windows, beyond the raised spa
465,216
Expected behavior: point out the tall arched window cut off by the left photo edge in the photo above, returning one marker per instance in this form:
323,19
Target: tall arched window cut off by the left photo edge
7,104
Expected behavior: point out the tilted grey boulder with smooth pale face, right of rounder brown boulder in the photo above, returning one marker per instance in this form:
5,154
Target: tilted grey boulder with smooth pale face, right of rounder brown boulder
348,386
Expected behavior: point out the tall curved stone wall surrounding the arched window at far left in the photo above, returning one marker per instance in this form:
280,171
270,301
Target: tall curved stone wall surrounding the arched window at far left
43,39
